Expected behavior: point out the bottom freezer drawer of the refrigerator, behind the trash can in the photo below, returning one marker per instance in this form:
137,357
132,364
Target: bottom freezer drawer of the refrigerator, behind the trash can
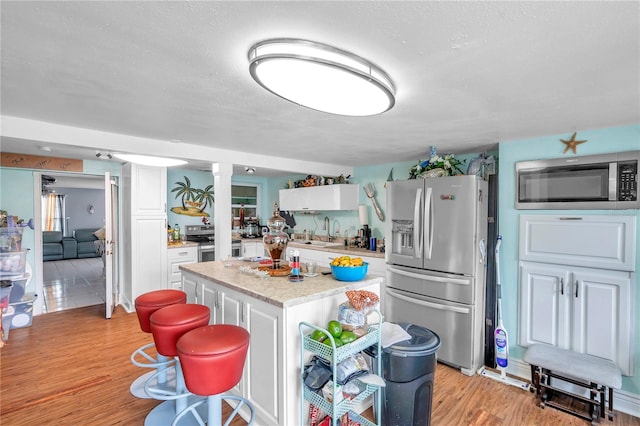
454,323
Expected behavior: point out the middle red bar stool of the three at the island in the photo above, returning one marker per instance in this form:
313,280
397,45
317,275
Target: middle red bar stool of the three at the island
167,326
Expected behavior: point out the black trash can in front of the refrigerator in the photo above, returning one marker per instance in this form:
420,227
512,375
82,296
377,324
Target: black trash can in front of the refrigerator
409,369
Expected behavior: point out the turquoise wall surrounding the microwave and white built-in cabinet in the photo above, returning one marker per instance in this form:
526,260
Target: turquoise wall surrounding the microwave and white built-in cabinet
599,141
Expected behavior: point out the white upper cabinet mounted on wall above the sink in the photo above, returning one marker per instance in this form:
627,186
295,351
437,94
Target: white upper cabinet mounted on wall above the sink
320,198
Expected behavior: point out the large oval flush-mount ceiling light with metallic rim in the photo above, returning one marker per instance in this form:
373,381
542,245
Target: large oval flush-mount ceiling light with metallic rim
321,77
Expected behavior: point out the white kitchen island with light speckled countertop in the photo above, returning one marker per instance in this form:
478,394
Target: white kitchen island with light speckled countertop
270,309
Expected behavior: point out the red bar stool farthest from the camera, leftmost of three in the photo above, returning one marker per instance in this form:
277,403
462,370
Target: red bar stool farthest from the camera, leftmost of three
146,304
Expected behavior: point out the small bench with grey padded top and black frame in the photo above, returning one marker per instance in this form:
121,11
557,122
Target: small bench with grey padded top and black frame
590,372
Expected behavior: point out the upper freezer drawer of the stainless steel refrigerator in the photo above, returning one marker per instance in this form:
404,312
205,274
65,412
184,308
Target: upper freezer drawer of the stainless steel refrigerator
461,289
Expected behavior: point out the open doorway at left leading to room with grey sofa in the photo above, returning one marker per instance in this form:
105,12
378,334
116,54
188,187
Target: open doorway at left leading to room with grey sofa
79,277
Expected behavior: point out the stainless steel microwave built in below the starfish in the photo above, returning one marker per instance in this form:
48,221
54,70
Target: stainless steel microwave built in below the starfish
606,181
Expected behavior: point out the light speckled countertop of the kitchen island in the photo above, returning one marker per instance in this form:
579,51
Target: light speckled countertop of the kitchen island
278,291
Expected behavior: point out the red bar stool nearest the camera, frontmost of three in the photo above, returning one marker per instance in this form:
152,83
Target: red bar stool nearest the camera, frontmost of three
212,360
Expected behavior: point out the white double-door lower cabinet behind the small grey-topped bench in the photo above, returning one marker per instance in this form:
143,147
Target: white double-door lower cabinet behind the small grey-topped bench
583,309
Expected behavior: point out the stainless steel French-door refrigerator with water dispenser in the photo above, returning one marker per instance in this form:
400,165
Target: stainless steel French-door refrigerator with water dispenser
436,234
